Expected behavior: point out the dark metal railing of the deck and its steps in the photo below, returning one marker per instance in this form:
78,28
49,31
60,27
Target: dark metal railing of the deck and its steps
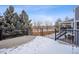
73,34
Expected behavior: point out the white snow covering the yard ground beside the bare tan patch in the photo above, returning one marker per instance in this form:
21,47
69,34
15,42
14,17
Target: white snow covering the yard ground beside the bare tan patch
41,45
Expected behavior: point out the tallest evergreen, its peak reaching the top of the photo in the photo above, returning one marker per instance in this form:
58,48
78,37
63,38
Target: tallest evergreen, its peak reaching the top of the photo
8,18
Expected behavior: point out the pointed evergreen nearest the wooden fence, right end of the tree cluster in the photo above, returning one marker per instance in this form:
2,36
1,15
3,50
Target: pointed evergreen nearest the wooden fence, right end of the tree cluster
26,22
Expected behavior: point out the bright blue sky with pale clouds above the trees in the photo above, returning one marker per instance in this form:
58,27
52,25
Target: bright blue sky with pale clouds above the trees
43,13
